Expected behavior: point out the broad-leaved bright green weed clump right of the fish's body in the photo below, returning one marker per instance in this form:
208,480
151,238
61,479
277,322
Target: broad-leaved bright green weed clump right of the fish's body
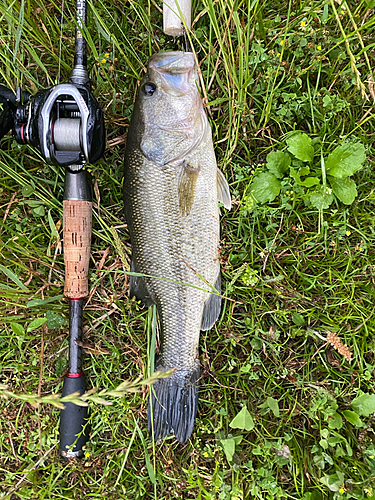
298,177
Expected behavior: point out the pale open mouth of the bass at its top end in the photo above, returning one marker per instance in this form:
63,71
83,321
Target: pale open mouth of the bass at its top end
177,71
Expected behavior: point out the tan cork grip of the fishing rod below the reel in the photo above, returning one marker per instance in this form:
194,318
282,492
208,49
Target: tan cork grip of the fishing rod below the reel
77,246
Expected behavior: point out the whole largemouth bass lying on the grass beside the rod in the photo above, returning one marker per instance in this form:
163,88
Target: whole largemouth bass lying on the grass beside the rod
171,190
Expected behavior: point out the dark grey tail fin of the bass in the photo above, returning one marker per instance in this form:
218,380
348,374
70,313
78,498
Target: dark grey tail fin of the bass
174,404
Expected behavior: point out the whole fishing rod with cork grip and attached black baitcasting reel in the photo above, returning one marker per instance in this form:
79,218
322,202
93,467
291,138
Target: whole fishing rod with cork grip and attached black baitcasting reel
66,124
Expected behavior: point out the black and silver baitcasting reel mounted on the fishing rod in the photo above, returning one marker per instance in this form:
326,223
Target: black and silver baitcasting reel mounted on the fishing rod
64,122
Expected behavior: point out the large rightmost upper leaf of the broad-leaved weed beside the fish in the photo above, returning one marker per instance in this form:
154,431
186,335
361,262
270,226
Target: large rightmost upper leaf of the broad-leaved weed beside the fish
345,160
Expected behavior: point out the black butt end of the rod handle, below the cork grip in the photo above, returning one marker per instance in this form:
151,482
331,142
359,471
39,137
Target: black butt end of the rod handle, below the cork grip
73,419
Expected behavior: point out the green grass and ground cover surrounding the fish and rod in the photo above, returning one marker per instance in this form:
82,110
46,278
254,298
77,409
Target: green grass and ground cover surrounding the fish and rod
266,69
